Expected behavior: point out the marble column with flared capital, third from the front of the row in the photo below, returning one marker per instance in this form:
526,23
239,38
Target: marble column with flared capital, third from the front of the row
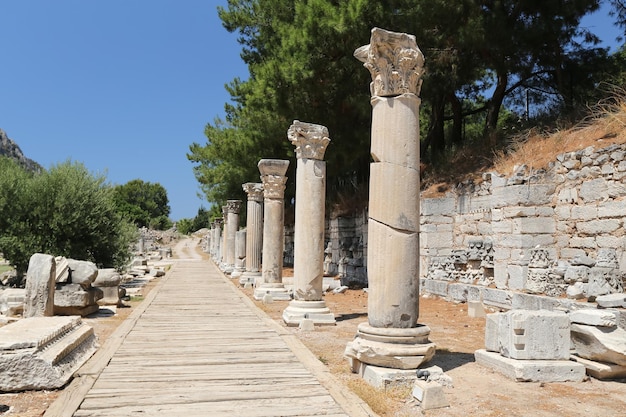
273,177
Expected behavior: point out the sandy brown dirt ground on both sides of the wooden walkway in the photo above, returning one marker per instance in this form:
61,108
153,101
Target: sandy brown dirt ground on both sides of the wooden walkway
477,391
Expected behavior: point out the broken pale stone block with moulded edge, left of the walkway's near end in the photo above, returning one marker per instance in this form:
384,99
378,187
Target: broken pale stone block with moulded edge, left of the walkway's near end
43,352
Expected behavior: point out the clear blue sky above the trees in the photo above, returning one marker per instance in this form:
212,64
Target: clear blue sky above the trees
123,86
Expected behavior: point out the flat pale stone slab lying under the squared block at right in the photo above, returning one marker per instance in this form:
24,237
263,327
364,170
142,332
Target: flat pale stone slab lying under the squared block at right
531,370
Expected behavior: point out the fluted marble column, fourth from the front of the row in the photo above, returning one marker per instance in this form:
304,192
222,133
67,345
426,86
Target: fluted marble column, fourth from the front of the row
254,235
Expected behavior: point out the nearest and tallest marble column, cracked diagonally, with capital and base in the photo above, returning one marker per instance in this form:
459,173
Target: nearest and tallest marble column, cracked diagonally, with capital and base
392,337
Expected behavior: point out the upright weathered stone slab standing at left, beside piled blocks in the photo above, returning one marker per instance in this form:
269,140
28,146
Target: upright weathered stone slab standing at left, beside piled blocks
39,298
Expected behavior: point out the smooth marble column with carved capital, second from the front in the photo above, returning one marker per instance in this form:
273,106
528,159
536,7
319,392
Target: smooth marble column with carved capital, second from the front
310,141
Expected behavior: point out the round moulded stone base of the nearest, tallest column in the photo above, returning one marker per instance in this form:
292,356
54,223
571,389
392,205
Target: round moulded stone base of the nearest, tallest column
396,348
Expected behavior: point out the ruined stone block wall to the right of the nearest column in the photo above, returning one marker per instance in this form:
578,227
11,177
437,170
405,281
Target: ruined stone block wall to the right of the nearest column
554,232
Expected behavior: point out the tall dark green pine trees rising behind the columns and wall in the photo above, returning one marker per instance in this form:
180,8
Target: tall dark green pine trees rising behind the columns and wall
480,56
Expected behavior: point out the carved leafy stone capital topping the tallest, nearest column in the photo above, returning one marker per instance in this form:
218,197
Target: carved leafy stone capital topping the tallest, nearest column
395,62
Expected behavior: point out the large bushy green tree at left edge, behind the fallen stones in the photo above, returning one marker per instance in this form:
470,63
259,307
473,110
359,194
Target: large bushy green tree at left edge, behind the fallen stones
63,211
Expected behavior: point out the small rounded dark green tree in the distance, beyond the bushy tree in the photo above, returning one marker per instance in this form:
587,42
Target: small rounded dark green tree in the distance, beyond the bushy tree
144,203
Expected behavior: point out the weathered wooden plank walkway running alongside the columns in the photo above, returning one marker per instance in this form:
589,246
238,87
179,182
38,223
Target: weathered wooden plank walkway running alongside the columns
197,346
